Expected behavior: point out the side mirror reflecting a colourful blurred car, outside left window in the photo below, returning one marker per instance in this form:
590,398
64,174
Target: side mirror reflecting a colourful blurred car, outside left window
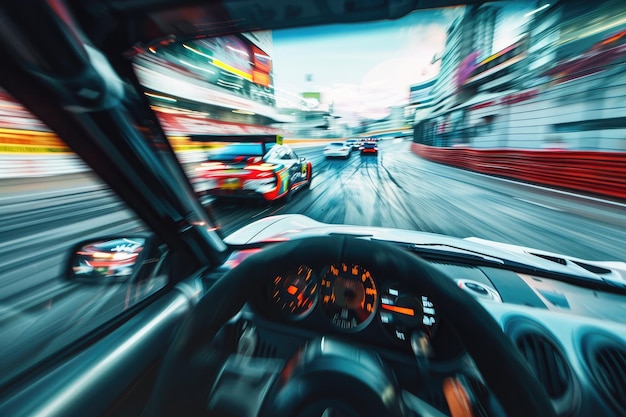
112,259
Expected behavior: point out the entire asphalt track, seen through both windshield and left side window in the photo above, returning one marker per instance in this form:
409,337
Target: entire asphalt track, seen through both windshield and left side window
40,219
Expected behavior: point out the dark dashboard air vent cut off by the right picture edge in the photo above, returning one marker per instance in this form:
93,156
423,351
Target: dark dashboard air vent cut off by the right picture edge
607,363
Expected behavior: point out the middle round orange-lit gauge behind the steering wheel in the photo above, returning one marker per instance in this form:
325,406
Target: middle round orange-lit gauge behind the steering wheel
349,296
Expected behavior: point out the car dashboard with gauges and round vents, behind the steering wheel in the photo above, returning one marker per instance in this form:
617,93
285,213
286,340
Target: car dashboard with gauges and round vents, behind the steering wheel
572,338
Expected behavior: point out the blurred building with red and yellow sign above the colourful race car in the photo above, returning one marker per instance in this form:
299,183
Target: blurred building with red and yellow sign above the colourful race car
214,85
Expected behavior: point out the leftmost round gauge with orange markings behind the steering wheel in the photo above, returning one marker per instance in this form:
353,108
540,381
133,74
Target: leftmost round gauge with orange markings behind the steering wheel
295,292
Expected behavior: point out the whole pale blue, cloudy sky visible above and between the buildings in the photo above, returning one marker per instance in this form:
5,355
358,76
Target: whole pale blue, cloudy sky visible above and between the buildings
364,68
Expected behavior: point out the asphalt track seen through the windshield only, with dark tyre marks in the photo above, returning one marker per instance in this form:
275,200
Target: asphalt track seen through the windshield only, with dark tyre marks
398,189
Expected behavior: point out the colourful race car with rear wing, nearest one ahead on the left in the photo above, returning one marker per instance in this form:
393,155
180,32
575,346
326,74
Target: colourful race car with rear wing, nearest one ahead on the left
257,166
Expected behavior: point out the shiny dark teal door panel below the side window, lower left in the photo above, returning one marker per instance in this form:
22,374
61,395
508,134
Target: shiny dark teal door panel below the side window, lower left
93,381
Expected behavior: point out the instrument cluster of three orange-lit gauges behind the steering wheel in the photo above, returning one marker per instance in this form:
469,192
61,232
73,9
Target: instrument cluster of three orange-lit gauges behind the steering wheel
349,298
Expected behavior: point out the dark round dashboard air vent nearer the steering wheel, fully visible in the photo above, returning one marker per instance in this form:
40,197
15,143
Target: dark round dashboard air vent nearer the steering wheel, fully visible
547,362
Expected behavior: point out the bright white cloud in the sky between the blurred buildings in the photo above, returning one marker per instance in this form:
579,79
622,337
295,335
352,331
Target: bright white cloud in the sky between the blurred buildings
368,77
